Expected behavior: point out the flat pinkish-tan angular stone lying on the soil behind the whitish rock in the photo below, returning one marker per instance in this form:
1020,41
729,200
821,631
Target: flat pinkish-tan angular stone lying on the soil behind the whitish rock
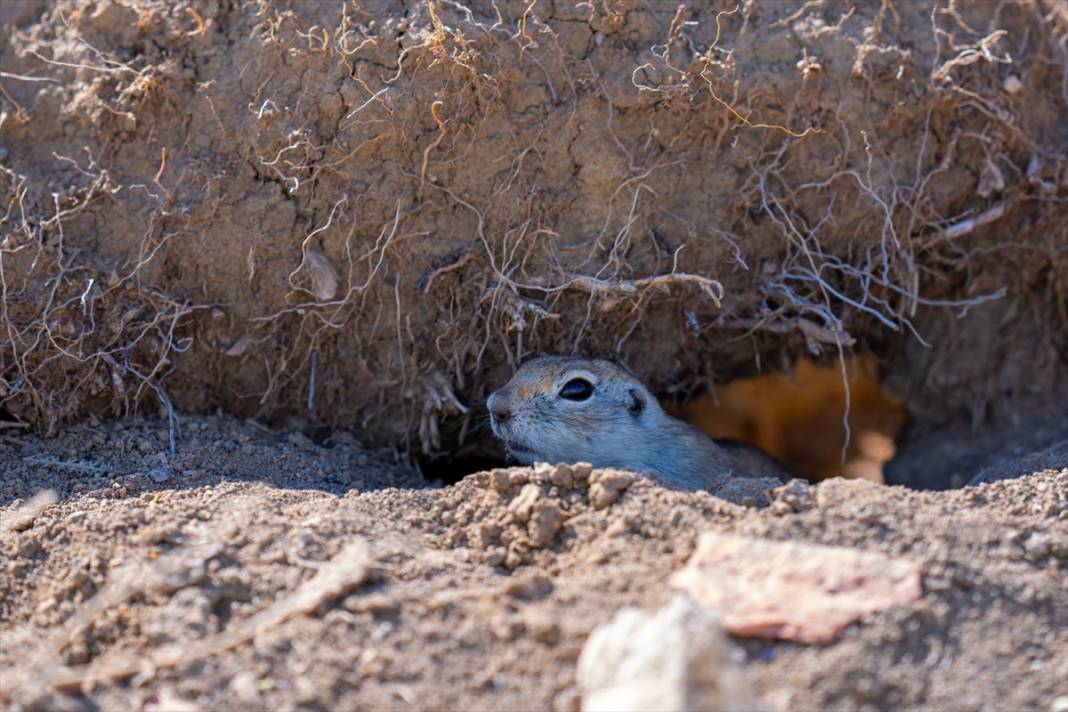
793,591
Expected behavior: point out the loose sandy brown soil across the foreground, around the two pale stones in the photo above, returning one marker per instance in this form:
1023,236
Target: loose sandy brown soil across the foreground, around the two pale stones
466,597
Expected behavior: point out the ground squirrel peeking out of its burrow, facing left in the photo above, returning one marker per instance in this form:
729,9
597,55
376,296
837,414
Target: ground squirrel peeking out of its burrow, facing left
570,409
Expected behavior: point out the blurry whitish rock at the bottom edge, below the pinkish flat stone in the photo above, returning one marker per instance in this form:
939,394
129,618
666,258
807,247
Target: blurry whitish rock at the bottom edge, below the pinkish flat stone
674,659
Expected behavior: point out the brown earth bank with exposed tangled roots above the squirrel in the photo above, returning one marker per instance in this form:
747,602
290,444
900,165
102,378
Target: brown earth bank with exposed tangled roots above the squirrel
364,215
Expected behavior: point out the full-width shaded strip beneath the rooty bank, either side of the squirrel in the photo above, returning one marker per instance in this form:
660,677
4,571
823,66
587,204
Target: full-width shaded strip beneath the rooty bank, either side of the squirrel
797,419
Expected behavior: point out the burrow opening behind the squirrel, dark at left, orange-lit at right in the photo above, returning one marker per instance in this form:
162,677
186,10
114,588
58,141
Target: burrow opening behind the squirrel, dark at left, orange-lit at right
798,419
